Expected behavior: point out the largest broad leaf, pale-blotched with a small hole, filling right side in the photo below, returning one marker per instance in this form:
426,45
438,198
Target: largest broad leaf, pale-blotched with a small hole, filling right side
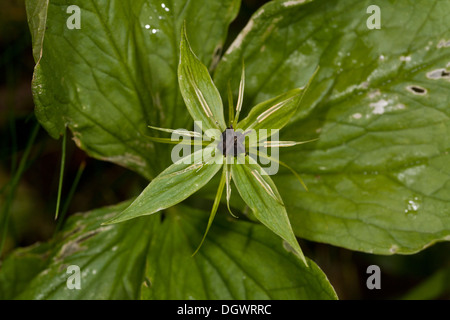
379,176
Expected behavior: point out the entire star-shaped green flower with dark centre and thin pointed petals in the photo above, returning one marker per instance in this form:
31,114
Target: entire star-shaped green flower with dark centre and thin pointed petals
240,150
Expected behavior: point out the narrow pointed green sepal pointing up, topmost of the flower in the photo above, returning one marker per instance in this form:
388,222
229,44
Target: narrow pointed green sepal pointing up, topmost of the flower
199,92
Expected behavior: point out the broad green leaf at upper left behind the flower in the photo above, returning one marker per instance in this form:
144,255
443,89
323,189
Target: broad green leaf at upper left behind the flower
116,75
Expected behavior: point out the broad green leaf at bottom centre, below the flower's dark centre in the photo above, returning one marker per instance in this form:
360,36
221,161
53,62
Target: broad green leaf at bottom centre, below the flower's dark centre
238,260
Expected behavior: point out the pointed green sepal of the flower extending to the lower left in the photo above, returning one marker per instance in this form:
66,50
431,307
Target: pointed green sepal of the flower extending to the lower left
172,186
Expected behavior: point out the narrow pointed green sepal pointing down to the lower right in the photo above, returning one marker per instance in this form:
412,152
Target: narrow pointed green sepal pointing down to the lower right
261,195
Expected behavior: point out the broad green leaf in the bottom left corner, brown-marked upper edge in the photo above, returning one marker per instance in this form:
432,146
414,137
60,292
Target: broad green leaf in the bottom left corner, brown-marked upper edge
111,260
